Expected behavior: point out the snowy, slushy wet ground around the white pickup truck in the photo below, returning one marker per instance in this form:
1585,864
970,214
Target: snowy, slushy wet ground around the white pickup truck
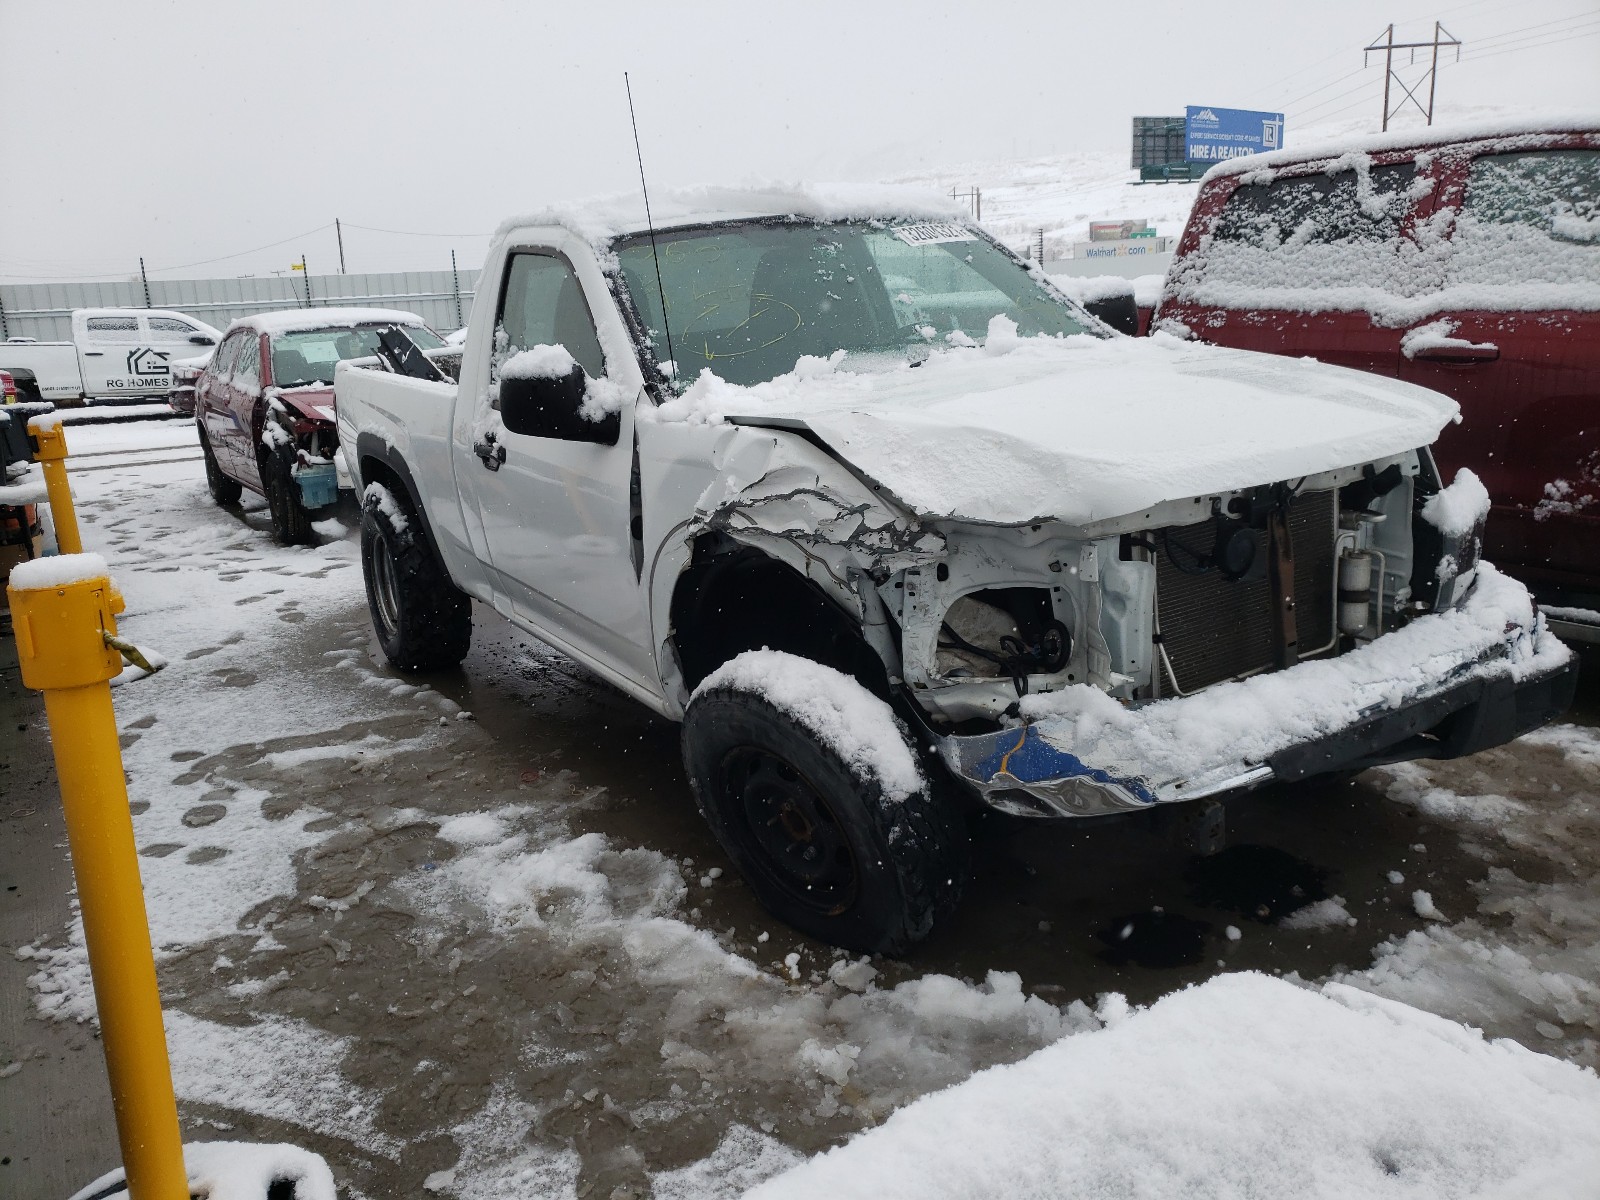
494,953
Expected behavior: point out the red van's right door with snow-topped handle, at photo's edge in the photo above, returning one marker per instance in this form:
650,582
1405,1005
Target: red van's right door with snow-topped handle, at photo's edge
1518,345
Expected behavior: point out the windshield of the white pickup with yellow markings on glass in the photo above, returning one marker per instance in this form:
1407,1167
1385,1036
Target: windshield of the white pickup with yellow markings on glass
748,300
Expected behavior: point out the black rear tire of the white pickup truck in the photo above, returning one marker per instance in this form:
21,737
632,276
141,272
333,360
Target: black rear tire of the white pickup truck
423,622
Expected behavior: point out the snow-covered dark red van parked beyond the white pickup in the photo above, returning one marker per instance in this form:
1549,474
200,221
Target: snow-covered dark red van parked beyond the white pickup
1466,262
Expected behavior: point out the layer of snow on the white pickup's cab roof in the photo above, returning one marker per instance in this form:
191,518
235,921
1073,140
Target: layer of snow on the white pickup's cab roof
601,220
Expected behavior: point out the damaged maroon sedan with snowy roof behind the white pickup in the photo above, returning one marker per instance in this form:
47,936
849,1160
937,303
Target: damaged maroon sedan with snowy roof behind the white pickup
265,407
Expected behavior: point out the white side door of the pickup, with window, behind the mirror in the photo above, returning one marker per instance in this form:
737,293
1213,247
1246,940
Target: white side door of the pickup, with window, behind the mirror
556,508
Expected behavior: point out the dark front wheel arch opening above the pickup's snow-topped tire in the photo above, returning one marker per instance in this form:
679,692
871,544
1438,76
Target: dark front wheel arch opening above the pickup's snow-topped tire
734,598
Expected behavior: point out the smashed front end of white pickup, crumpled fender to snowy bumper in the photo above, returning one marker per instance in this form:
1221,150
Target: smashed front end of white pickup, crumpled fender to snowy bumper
1196,649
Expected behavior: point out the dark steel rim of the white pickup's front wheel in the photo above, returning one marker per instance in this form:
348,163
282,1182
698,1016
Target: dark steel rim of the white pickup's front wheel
791,830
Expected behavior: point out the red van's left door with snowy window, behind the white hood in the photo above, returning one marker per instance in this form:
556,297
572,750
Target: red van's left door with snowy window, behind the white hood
1303,265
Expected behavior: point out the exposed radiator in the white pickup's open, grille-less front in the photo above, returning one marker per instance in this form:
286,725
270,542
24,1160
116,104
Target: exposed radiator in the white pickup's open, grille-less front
1215,630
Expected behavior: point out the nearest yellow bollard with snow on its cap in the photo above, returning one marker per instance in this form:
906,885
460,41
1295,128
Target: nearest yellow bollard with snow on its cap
63,612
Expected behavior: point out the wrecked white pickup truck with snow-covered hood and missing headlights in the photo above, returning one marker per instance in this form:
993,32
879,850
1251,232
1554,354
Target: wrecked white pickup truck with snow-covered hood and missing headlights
895,529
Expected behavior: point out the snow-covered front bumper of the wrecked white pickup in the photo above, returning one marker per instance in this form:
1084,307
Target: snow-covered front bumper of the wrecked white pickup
1441,692
